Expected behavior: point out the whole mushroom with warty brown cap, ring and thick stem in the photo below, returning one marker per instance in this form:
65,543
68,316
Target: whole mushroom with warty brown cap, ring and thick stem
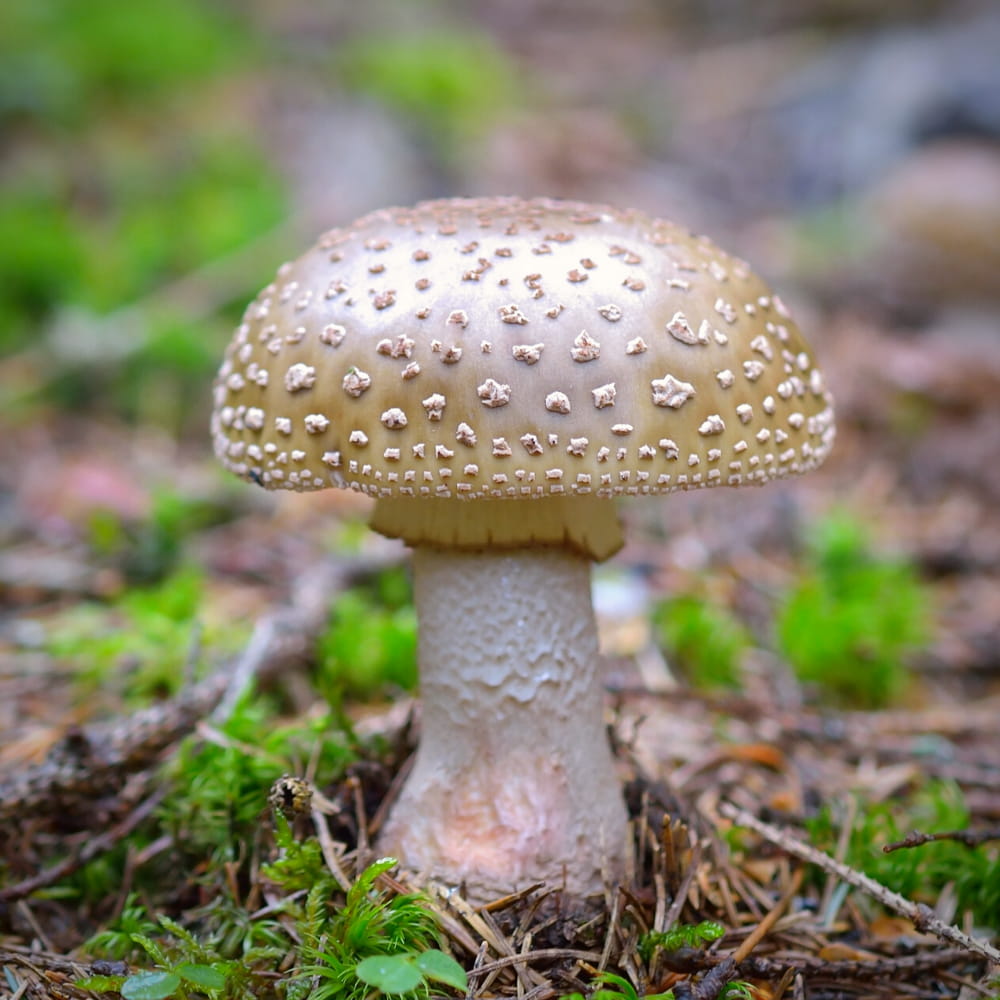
494,372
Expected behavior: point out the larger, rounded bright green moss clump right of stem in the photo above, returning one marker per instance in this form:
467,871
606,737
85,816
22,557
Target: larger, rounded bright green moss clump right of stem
852,619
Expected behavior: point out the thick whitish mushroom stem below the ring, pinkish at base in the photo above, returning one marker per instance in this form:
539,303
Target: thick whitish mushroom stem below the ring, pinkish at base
513,781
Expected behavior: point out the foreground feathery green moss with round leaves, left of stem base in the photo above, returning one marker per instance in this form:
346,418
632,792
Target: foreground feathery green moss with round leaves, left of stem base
333,945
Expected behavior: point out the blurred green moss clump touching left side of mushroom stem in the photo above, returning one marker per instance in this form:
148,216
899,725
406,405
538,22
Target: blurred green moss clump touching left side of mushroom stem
369,647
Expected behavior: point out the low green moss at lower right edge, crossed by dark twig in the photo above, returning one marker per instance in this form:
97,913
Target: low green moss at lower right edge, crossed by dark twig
923,873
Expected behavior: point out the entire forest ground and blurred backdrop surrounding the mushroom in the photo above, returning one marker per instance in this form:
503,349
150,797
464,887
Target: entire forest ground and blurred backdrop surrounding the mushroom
803,681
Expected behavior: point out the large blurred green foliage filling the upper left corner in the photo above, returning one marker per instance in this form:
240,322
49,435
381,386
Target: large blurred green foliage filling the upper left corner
130,162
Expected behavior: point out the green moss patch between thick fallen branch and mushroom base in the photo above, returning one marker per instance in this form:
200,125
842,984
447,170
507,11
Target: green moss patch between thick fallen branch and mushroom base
212,816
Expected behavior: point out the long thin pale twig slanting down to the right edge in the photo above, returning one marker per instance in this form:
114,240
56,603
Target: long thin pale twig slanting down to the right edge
922,915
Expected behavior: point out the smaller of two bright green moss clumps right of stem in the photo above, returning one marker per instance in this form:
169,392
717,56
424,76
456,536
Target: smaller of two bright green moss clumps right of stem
704,640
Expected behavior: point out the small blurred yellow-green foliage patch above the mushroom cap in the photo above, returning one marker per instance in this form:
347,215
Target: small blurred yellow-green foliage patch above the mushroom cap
448,84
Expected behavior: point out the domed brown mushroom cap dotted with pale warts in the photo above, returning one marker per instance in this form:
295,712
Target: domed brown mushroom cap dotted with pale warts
508,348
